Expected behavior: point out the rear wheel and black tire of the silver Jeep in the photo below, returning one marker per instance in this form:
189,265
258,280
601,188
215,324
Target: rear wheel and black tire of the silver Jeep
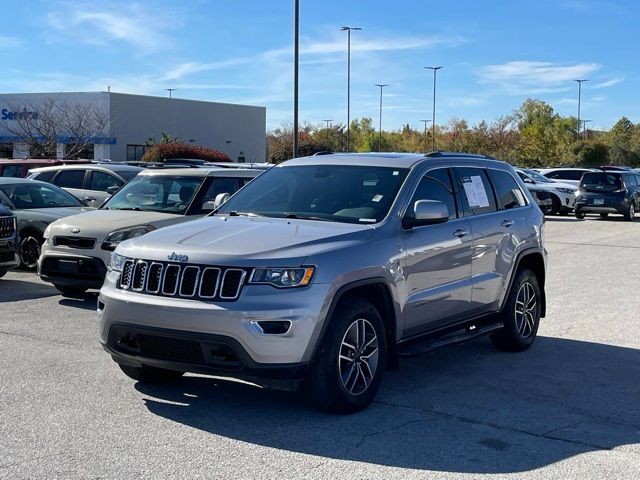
520,314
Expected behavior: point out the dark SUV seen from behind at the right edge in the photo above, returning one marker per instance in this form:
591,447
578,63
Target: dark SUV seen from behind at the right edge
609,191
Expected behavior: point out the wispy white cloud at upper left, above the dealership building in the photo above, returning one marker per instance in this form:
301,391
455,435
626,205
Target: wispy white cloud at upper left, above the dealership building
101,23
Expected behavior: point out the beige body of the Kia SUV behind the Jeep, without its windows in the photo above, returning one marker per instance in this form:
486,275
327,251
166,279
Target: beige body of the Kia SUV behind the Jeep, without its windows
96,226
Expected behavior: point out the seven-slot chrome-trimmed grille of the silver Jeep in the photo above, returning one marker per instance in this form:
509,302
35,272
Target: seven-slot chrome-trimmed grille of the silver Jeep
182,281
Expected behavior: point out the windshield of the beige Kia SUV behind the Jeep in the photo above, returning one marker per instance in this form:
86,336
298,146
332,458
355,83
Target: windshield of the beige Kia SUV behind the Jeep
157,193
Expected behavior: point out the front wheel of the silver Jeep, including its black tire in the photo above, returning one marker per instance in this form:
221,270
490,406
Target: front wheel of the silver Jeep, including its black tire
335,362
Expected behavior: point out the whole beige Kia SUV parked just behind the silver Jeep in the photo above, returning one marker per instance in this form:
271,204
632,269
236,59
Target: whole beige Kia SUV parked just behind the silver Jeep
77,250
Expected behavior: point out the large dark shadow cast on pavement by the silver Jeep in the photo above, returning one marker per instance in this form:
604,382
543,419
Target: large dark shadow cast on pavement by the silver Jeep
463,409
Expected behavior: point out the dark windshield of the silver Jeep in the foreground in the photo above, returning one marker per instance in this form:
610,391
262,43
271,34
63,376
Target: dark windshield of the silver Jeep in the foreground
341,193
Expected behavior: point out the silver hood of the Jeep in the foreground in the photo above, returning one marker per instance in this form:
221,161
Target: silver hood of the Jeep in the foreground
244,241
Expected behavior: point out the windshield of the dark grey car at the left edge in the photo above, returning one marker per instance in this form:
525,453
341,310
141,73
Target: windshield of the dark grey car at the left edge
36,195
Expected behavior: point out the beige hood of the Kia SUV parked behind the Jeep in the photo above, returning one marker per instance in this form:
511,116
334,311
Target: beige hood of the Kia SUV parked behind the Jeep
100,223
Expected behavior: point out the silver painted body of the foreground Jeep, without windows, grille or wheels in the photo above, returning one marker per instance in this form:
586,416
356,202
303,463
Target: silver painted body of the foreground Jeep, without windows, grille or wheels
434,275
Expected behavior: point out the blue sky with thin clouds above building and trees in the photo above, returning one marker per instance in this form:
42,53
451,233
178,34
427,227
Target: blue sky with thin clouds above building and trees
495,54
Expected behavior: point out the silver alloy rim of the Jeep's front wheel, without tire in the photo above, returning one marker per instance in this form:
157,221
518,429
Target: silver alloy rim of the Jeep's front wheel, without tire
358,356
